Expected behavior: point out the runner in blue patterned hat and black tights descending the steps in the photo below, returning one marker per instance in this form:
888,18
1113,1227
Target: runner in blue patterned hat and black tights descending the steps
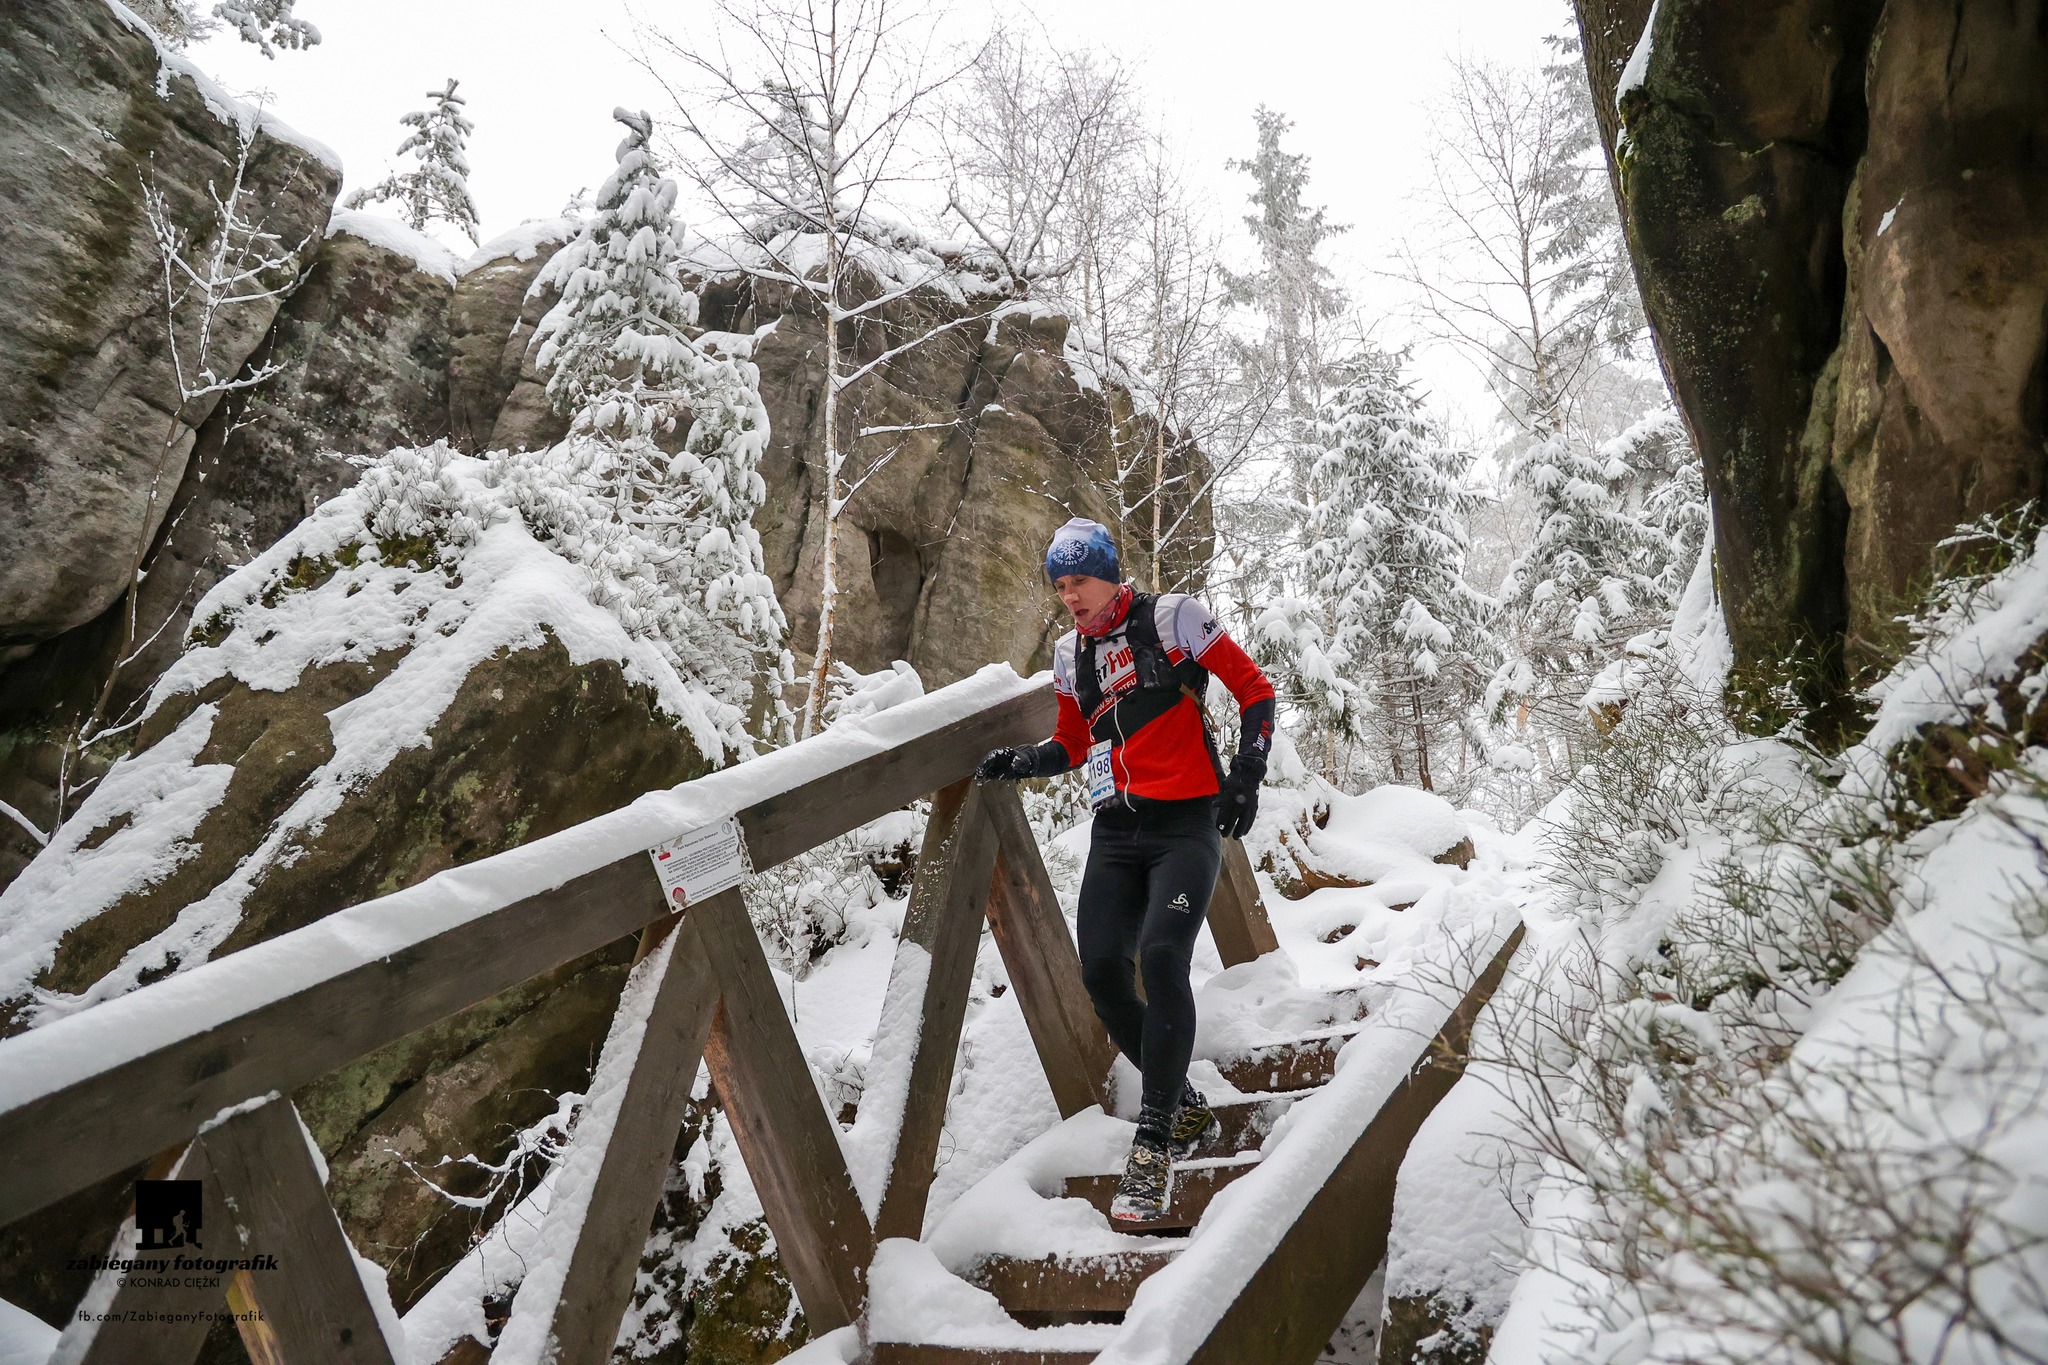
1129,682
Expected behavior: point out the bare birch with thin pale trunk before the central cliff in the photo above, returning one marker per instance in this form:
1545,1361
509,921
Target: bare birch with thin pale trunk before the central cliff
800,116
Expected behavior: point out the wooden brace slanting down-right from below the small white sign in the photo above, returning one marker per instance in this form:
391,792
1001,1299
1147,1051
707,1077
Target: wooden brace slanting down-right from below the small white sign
790,1143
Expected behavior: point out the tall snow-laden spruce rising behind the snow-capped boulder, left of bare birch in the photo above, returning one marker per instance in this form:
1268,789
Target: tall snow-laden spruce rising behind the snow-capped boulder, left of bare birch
628,367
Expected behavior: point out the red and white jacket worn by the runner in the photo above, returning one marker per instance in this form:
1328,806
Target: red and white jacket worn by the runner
1168,758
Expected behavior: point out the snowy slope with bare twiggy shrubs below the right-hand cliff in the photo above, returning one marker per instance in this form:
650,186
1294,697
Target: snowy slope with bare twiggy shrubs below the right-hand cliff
1797,1108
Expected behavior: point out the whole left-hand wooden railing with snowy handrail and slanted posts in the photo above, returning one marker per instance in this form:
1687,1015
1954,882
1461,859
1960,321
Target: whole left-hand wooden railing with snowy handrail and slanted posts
185,1075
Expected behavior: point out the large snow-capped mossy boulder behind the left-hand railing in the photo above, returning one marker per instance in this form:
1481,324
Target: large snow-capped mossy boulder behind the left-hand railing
411,680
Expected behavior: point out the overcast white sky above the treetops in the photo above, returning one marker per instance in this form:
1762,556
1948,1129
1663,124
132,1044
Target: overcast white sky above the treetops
542,79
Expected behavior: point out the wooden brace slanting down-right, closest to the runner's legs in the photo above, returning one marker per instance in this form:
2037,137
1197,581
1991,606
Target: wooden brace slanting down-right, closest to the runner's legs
1046,969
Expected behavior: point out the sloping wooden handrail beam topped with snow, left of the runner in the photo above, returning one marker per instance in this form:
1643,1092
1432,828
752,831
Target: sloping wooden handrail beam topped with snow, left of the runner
89,1096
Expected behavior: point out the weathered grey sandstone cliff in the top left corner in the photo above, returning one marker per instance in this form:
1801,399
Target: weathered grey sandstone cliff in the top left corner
91,114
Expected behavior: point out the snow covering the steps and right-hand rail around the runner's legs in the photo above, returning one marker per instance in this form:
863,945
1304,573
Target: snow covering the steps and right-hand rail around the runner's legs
1453,920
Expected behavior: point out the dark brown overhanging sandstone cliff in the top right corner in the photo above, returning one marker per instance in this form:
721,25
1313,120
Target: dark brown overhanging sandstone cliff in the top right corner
1840,218
